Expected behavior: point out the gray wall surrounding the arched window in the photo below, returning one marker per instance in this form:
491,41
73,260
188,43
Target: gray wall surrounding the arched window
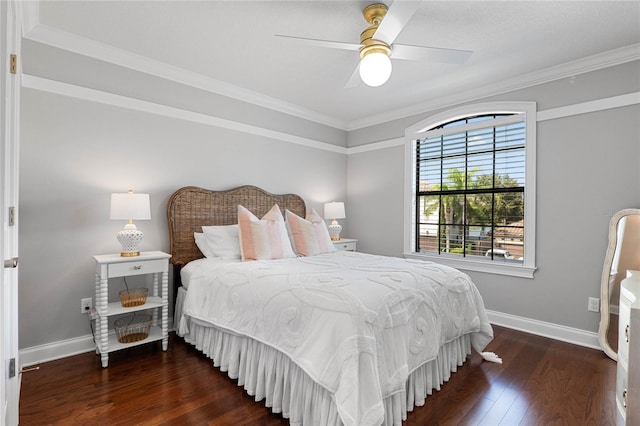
587,169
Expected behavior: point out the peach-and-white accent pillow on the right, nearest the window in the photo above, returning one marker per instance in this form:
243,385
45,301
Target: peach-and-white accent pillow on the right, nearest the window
309,236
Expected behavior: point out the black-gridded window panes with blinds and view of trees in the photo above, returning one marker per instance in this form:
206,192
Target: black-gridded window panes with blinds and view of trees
469,188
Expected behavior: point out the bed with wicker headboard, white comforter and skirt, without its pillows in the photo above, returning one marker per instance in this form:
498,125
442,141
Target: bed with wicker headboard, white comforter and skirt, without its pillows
331,338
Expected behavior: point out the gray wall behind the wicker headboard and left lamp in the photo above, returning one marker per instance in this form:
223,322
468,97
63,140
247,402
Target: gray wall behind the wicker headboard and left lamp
75,153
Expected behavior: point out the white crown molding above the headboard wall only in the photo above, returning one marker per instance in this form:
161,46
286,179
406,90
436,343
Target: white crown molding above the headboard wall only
54,37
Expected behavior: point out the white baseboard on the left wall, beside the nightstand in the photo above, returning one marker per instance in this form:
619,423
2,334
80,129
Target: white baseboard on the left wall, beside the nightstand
61,349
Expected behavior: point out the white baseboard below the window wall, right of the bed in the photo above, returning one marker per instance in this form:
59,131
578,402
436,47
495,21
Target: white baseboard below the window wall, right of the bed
563,333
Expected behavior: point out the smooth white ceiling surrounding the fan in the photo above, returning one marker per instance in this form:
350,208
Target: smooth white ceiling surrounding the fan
515,43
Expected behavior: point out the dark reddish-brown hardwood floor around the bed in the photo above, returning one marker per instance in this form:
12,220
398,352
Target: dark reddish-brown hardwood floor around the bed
541,382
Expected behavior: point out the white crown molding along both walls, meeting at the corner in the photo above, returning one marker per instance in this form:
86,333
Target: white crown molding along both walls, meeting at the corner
73,43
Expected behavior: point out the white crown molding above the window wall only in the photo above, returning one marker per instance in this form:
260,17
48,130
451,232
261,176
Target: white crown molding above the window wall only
591,63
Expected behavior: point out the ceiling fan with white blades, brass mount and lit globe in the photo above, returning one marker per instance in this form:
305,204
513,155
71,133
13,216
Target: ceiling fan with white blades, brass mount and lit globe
377,45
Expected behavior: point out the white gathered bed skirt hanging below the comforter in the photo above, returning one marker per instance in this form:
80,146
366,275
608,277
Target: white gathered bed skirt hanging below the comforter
266,373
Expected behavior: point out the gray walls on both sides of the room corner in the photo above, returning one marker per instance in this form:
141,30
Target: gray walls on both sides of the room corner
75,153
